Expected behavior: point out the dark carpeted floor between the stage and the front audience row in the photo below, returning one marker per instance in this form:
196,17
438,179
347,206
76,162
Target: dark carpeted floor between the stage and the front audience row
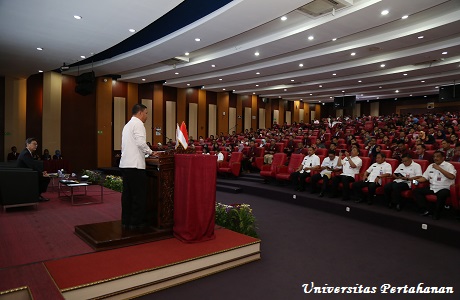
302,245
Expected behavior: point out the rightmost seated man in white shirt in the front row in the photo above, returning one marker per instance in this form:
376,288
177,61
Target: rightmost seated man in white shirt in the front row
441,175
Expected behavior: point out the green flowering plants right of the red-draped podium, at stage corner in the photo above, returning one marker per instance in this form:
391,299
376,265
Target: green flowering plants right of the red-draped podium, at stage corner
236,217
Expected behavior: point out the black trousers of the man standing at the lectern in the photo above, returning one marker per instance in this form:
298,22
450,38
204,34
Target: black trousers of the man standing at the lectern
133,198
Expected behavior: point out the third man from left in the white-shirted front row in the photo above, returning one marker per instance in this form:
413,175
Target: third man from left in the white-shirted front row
351,164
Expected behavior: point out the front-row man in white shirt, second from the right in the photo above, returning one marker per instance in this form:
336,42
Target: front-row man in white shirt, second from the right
407,171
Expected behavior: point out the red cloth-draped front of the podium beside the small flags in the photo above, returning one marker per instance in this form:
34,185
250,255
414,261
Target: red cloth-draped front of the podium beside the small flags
194,197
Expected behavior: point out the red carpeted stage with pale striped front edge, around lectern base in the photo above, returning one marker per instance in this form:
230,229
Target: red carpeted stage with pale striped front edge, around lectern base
42,253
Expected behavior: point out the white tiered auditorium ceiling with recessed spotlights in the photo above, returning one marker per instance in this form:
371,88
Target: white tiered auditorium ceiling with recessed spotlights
389,61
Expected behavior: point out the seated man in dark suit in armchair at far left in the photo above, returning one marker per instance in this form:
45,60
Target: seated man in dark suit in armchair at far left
26,160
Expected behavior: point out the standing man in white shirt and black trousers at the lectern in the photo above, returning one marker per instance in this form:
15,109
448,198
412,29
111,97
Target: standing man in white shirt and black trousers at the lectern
134,148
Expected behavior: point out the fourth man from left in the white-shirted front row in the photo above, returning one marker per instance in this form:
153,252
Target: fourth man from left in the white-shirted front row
372,179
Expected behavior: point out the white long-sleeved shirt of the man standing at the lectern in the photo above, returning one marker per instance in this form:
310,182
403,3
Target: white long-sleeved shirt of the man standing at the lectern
133,145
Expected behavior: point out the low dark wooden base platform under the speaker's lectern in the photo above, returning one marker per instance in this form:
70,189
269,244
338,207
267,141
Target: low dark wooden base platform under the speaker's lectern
111,235
